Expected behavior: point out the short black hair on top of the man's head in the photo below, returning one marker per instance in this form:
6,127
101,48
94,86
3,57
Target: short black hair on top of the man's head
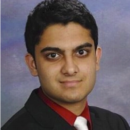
50,12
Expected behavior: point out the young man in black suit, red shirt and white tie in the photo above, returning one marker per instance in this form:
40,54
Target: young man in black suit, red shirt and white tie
62,42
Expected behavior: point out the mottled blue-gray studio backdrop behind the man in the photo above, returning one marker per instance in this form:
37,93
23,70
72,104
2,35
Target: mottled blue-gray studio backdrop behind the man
112,89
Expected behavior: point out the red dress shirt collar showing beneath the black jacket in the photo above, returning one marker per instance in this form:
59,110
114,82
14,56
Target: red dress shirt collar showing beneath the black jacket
63,112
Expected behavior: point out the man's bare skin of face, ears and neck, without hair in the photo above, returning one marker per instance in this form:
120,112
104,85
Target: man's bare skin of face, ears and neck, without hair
66,63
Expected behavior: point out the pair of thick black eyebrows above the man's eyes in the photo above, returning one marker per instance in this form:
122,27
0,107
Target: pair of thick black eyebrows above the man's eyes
61,51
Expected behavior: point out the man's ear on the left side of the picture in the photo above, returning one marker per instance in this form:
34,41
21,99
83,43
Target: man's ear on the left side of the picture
31,64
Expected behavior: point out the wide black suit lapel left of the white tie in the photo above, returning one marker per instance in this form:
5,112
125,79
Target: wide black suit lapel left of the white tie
44,115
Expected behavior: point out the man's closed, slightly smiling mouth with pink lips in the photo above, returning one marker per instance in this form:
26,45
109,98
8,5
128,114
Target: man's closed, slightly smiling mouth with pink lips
69,84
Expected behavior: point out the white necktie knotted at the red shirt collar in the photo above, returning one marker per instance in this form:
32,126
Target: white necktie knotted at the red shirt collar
80,123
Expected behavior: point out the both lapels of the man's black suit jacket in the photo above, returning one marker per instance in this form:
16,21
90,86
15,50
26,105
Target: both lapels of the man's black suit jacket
50,120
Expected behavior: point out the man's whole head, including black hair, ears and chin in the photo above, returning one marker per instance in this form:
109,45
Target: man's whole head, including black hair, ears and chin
62,43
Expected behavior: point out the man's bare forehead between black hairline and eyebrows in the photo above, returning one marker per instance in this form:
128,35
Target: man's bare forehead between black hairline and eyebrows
65,36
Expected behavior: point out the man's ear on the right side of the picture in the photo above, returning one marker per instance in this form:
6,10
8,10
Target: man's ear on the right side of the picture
98,57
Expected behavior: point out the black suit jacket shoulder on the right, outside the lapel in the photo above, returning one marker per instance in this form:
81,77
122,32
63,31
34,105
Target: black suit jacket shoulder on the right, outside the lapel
112,119
